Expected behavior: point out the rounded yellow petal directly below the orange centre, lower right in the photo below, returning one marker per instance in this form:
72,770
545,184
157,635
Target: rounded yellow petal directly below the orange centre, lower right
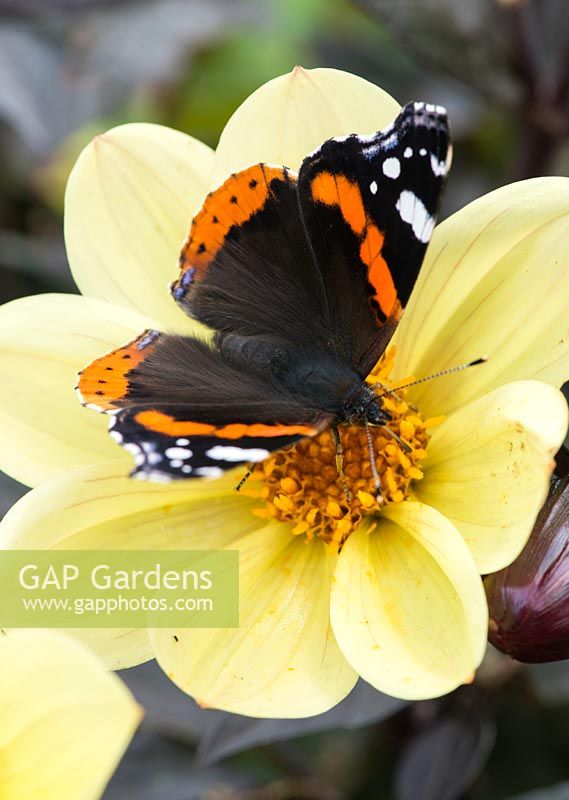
408,607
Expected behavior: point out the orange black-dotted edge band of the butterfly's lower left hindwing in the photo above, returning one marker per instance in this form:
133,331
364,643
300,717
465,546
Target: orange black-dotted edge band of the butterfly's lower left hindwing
104,383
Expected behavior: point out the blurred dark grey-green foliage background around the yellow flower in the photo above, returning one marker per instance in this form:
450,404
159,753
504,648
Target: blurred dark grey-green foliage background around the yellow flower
72,68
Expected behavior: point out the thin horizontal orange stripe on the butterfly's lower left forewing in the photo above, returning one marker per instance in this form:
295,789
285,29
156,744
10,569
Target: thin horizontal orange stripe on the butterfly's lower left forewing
163,423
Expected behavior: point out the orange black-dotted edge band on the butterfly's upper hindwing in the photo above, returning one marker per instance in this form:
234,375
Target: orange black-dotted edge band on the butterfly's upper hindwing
241,196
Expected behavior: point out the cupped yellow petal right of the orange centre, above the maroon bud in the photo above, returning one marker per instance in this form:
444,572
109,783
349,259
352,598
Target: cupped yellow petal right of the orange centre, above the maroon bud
488,467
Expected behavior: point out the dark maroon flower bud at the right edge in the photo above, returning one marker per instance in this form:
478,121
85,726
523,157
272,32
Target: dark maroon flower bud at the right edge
529,600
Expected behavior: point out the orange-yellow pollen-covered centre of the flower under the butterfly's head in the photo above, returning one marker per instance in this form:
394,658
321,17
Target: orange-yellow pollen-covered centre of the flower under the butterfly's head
302,486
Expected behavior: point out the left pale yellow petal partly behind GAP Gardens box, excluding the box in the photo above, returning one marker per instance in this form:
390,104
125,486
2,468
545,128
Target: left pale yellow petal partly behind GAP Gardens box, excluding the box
99,508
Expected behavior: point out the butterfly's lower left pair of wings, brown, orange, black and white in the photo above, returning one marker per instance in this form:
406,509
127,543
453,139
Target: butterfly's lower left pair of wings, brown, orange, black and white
183,411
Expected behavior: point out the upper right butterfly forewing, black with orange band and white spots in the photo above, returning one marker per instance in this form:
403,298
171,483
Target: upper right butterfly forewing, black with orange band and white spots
370,204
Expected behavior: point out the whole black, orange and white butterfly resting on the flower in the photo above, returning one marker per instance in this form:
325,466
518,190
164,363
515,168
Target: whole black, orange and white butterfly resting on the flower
302,278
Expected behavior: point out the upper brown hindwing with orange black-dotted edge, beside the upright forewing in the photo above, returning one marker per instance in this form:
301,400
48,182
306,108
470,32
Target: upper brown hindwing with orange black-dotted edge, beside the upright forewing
247,267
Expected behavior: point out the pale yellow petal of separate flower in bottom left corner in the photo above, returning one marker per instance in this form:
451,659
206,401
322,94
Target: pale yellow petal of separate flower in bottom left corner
64,721
